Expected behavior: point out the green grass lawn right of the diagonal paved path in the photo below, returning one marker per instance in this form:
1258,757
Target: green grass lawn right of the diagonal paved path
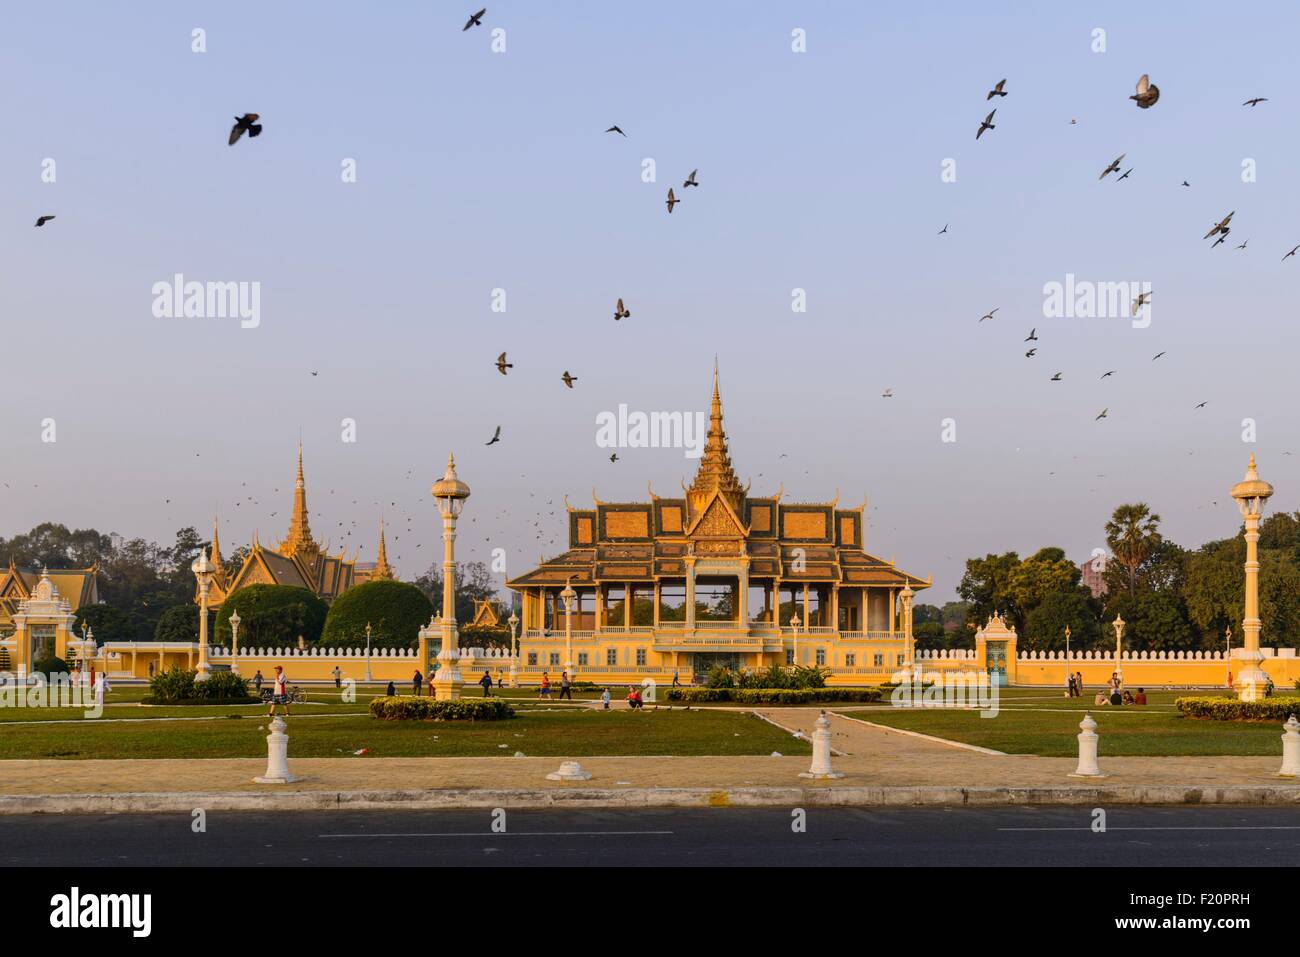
1042,722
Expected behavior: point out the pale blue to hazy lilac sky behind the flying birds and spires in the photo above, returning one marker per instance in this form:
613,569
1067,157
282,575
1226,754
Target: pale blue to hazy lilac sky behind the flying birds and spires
480,171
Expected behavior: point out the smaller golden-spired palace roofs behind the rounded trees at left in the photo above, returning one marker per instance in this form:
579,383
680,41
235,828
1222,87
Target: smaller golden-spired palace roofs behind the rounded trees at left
300,560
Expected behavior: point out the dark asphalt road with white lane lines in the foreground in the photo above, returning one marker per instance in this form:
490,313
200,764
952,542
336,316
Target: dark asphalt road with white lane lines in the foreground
1037,837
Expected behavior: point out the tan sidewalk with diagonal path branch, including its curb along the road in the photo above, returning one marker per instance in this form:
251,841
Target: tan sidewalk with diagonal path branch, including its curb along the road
881,767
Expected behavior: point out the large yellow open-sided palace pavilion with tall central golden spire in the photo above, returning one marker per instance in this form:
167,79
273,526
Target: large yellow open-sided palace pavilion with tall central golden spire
714,578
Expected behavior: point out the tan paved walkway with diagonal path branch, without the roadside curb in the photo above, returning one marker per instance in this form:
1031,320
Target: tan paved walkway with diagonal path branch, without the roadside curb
870,756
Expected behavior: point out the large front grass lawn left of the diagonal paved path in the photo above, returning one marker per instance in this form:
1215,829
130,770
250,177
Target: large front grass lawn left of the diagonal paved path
569,733
